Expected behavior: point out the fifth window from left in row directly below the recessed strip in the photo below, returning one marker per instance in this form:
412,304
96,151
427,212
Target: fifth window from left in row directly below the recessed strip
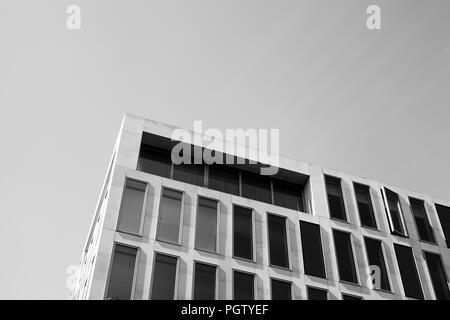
278,246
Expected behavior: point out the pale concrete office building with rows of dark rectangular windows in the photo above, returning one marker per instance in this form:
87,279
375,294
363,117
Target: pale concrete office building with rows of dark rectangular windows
224,231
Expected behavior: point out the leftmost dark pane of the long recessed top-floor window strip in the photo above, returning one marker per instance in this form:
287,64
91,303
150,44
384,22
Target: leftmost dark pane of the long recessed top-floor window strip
154,161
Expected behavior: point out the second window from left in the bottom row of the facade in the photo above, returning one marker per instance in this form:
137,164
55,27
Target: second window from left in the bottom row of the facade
164,277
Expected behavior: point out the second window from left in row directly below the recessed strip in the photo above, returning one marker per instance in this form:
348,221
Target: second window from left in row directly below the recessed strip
169,218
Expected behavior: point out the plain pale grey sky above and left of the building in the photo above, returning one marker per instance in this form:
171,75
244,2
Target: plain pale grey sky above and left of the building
372,103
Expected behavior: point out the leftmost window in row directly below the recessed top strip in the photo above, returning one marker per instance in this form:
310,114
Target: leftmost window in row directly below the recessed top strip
132,207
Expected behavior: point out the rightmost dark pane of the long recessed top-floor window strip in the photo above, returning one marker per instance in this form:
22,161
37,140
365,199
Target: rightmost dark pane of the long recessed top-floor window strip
288,195
